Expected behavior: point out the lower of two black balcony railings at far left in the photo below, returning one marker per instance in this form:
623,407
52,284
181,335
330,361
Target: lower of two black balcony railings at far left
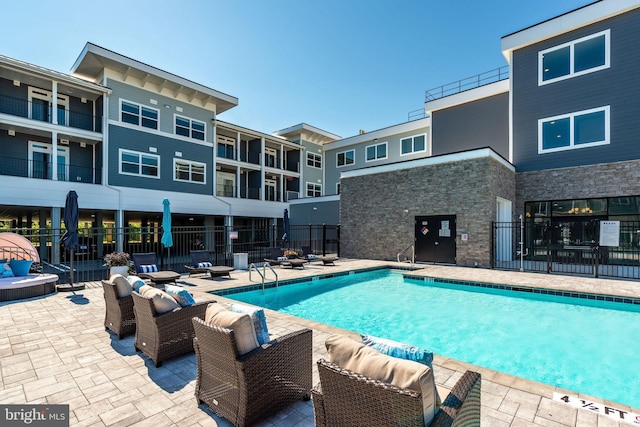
44,170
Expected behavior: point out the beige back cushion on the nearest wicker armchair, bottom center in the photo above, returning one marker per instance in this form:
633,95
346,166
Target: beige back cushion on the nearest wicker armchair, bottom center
407,374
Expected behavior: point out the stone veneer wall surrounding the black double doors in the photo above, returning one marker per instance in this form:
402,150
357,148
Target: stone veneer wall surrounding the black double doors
372,218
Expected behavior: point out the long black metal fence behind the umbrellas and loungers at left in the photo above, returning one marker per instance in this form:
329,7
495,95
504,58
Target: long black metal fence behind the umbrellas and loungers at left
221,242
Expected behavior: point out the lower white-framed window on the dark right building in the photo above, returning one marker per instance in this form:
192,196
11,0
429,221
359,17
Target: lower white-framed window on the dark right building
576,130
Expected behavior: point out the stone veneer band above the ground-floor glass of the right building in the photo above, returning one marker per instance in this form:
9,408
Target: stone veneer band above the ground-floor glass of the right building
604,180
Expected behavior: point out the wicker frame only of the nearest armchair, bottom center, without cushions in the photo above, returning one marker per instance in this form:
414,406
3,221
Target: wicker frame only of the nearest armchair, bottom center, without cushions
345,398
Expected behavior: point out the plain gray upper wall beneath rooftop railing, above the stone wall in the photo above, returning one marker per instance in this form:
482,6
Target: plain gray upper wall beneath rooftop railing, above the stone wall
477,124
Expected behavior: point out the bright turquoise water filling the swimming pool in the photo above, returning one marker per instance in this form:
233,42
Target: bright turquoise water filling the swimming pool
581,345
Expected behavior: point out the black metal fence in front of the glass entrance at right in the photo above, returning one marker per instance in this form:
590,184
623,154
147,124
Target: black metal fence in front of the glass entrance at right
555,248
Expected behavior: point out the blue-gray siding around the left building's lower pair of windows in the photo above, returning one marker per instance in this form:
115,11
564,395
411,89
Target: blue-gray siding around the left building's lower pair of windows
130,139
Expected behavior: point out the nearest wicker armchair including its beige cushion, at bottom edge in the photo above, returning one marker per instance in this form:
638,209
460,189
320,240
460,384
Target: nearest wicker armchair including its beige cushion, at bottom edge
346,398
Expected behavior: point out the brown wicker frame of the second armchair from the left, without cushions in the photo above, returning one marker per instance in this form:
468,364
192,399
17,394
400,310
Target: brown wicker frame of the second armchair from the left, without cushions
167,335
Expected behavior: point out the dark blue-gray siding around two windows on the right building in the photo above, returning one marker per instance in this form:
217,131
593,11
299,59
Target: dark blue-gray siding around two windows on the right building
617,86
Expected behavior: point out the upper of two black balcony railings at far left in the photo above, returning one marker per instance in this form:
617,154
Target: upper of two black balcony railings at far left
43,112
